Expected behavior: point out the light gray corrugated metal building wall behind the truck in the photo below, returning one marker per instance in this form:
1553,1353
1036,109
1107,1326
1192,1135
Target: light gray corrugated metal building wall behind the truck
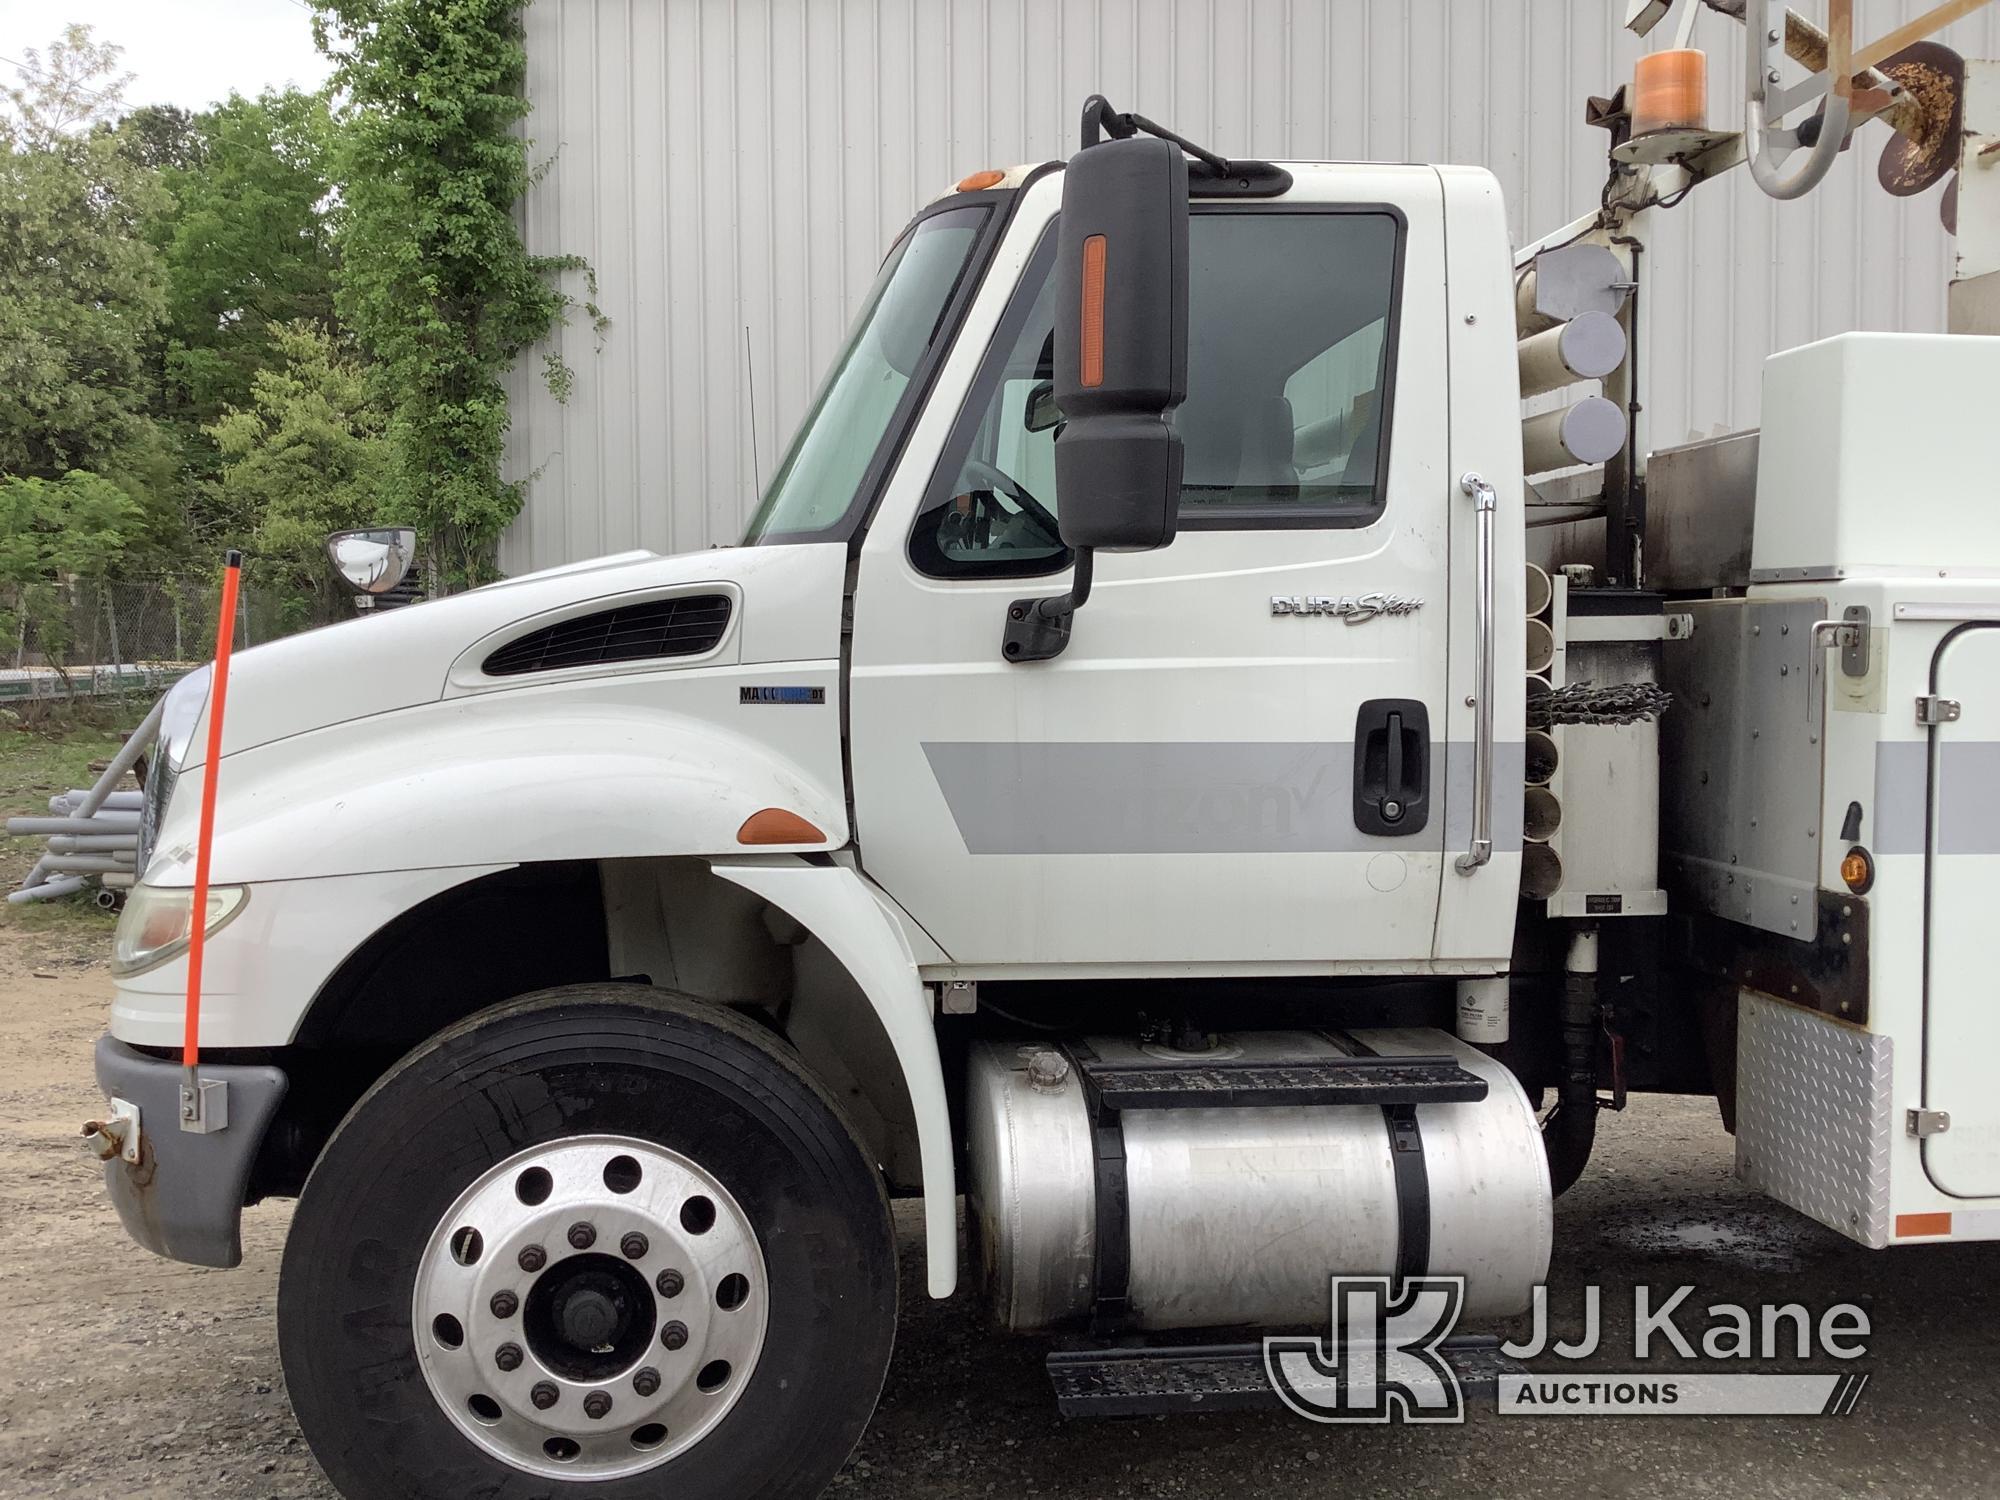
735,169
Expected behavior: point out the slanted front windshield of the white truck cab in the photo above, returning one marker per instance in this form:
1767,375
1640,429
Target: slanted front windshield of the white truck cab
821,479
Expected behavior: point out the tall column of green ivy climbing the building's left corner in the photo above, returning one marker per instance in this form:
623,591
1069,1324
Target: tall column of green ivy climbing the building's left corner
435,279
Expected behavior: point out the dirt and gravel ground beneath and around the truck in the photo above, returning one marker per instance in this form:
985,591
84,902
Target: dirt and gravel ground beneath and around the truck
129,1377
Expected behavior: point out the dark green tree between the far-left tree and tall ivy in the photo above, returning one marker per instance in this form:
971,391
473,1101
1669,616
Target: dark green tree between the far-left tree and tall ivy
249,243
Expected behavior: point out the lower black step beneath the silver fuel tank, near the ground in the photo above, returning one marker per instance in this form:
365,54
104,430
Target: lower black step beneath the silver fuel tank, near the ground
1221,1377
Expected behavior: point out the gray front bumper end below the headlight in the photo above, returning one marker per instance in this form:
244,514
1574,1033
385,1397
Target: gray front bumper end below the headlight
185,1195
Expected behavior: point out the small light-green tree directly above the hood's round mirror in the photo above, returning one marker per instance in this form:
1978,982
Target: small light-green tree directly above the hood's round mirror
307,457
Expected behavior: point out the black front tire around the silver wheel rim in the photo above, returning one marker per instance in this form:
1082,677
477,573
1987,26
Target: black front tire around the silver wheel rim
569,1063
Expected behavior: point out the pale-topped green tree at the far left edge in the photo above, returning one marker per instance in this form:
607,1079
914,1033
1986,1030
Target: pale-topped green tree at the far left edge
81,289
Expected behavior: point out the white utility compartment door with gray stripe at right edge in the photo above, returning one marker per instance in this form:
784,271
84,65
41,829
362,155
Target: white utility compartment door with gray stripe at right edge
1963,871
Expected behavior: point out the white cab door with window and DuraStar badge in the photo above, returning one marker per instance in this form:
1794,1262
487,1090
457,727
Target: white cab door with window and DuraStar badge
1239,759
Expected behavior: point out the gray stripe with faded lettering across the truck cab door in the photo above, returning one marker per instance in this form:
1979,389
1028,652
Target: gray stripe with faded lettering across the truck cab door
1185,797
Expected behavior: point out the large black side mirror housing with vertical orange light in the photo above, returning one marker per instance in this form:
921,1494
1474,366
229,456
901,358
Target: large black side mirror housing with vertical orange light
1121,343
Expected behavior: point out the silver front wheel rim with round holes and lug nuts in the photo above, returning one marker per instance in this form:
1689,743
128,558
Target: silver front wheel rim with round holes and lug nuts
591,1309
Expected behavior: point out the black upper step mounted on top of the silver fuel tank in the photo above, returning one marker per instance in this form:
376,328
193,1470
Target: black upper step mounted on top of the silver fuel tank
1271,1085
